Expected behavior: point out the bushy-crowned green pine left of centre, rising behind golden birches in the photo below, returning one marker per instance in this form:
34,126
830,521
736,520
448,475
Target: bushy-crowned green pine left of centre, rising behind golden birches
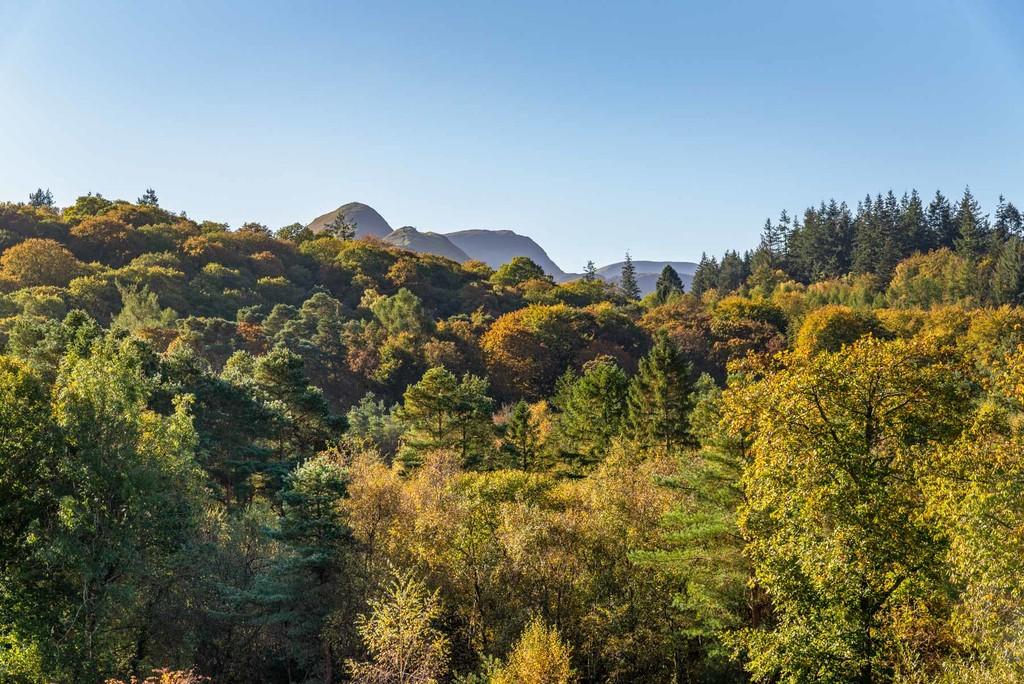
442,412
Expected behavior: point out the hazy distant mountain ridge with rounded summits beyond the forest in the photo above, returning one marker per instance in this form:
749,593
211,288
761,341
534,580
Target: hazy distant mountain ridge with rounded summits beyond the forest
492,247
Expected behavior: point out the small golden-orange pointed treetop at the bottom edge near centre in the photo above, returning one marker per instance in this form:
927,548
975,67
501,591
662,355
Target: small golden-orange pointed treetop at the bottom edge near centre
540,657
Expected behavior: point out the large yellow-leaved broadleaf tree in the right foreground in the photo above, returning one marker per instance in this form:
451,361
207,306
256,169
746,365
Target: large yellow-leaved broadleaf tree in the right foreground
834,506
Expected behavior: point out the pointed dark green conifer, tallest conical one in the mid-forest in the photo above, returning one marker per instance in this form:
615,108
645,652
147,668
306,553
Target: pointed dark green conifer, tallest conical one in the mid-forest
659,401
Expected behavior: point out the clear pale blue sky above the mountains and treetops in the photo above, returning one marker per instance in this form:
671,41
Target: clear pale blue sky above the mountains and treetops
663,129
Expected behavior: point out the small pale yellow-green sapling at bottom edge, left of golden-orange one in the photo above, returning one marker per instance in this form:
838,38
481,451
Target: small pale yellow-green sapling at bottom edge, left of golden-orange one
400,634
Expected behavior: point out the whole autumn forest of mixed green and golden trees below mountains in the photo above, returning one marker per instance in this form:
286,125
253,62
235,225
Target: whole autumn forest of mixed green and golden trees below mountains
280,456
